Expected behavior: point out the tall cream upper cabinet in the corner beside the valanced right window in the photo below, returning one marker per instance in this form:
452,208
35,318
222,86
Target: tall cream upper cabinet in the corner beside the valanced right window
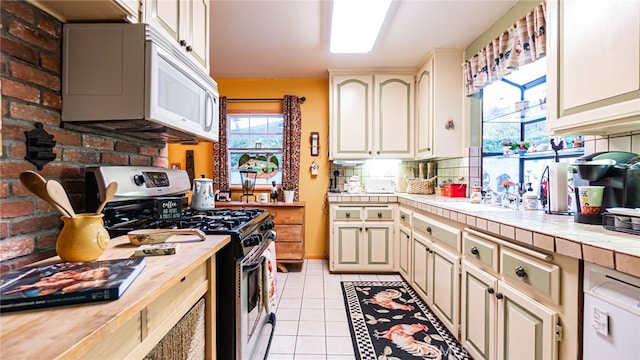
440,127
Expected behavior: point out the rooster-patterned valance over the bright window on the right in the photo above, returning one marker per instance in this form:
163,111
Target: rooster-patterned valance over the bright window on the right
524,42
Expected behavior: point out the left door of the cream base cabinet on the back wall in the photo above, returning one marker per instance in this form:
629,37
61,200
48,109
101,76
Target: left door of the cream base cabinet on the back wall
346,247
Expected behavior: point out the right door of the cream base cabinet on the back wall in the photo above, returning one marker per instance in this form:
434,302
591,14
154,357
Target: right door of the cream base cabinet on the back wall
378,251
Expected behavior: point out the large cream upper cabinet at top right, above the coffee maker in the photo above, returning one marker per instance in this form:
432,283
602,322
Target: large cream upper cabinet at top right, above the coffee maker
593,73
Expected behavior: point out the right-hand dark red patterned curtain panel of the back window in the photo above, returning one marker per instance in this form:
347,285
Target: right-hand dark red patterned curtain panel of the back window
291,142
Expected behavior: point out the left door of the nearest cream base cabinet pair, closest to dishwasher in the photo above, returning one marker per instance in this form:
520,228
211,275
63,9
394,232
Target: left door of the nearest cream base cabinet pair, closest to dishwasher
478,312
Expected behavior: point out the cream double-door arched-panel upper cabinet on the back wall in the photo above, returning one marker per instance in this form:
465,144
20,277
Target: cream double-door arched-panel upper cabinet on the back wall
371,116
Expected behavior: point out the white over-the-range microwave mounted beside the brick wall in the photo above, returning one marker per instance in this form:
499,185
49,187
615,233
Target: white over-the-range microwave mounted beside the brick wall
127,78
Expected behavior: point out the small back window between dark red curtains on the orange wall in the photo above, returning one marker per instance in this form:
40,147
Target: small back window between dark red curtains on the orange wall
255,142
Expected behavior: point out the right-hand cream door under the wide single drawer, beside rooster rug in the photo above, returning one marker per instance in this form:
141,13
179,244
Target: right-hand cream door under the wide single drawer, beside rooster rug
445,287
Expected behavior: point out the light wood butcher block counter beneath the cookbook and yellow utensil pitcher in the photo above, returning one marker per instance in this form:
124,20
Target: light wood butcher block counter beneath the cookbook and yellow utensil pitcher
120,328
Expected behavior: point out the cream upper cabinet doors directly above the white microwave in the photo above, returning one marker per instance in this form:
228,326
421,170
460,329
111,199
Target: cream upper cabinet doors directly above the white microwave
185,22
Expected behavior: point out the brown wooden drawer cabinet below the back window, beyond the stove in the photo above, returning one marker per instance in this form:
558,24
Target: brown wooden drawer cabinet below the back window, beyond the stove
289,227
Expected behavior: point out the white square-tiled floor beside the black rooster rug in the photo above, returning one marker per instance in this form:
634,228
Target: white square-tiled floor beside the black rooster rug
311,320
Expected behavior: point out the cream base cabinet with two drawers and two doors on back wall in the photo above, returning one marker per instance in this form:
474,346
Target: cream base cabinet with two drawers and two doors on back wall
361,238
